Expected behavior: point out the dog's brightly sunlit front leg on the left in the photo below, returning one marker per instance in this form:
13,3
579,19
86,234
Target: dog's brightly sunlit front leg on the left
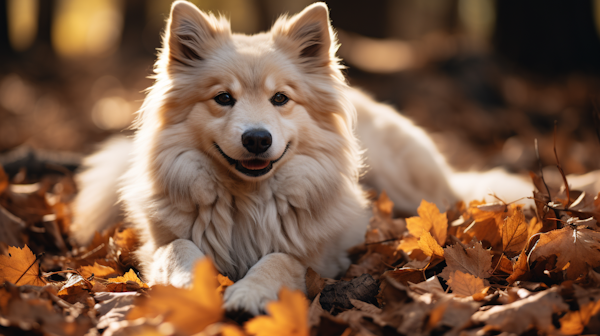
174,263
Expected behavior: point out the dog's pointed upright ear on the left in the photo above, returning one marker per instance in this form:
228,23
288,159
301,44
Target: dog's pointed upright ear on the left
191,34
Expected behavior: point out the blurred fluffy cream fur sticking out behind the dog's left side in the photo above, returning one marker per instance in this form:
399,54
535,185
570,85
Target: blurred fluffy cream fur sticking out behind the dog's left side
96,206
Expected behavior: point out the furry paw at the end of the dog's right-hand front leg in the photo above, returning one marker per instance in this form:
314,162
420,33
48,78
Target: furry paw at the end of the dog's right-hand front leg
249,295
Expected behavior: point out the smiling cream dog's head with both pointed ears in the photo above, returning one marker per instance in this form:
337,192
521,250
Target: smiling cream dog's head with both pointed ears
253,102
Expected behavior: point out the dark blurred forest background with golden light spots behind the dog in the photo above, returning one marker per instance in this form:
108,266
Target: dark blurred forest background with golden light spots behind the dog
485,77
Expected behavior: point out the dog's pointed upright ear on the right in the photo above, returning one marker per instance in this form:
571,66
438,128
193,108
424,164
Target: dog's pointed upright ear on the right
312,34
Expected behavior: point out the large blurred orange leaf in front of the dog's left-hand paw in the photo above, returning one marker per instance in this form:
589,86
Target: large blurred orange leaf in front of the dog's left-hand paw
188,310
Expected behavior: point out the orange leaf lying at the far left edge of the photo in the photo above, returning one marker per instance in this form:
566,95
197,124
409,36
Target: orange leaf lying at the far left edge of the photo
20,267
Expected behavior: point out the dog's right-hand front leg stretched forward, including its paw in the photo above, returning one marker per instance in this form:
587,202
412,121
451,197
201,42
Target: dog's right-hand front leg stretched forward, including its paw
263,282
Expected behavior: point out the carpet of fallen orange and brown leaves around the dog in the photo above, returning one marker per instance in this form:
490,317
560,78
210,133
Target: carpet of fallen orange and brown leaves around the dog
477,269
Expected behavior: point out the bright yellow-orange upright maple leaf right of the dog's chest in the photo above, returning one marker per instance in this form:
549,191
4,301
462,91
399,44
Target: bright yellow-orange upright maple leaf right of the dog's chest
429,220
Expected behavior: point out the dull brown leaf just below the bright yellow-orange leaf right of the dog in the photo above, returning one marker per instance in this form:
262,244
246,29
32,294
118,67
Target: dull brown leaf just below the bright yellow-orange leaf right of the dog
474,260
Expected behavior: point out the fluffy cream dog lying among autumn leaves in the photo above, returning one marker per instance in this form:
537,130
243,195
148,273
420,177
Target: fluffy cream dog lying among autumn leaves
251,150
